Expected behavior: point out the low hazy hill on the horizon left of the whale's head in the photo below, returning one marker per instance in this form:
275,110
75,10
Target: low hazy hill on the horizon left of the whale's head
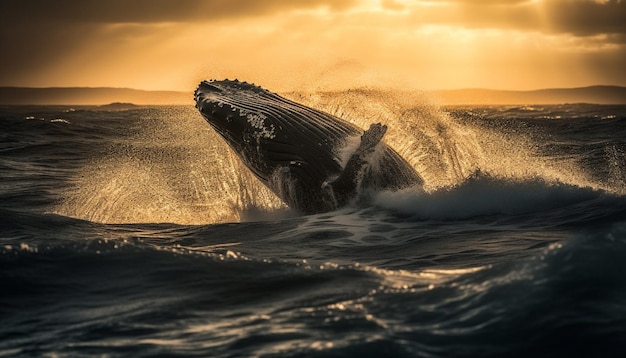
90,96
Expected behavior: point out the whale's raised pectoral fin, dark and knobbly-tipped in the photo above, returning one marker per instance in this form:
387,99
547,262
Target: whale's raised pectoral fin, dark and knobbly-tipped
345,186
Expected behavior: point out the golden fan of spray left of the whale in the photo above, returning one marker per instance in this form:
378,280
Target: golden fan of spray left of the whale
173,168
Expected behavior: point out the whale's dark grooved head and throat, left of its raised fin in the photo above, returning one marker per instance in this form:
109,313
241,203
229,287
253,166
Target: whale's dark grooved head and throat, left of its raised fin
270,133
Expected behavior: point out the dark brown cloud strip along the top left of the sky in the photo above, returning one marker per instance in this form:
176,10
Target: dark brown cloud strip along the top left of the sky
120,11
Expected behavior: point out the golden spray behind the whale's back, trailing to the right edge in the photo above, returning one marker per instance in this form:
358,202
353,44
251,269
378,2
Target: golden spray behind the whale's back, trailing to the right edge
446,150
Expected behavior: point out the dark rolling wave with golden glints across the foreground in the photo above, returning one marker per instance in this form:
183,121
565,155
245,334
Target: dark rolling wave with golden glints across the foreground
153,297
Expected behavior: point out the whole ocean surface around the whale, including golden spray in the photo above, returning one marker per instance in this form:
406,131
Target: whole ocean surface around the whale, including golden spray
136,233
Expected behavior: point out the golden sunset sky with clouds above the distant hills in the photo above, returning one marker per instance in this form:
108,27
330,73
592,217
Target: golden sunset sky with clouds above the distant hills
313,44
